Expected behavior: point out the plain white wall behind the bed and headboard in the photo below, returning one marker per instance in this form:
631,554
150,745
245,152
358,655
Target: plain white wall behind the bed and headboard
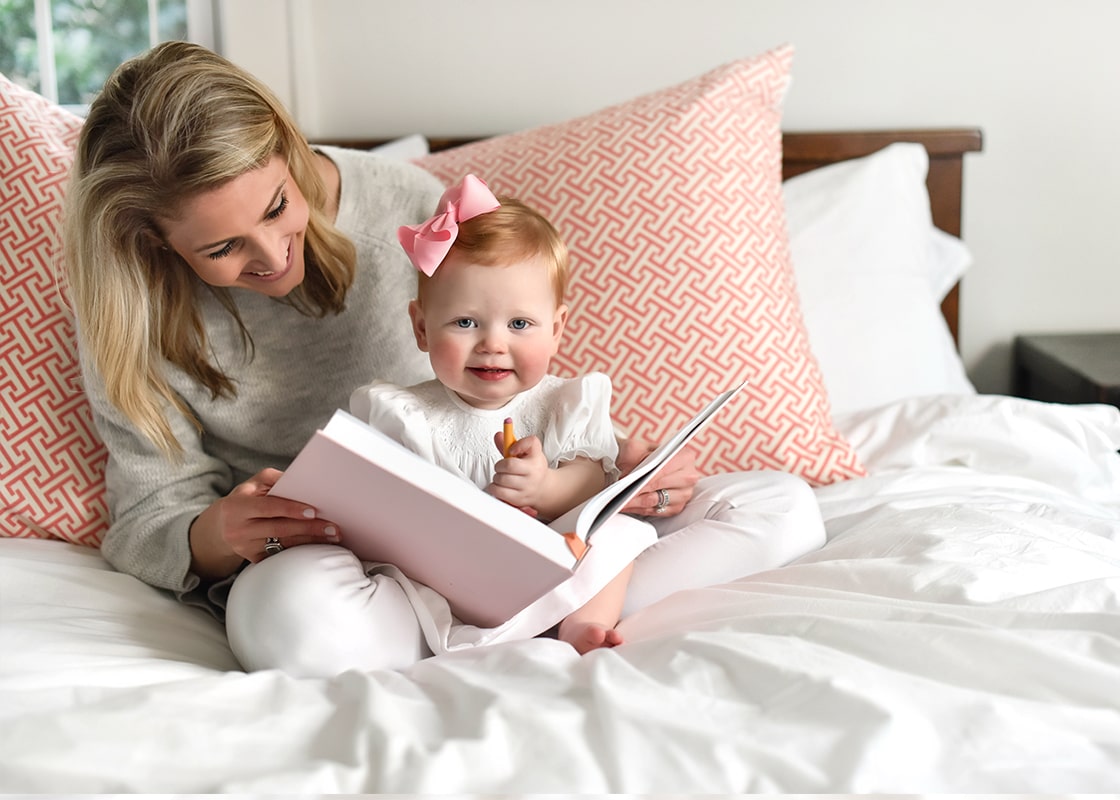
1041,78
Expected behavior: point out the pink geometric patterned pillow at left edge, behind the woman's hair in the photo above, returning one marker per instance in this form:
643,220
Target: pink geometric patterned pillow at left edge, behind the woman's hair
52,462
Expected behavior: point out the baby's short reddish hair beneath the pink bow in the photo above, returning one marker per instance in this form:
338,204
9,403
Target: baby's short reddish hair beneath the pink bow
514,232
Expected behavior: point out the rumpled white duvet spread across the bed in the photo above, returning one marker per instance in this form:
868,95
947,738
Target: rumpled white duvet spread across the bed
960,631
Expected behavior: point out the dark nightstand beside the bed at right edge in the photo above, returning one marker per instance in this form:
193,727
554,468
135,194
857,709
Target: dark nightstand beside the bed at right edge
1069,368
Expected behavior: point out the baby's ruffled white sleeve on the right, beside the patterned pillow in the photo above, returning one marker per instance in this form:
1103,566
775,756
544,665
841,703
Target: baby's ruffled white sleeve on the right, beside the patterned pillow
581,423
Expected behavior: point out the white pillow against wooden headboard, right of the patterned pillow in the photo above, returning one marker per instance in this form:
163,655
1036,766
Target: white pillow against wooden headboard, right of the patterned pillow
872,272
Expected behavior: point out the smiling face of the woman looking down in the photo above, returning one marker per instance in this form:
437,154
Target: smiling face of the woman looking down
248,234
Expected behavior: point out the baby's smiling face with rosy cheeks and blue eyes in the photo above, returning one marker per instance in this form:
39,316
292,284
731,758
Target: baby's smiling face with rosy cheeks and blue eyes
490,332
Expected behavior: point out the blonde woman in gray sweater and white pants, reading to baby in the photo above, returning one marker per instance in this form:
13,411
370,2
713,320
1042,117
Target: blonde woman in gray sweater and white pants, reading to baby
231,289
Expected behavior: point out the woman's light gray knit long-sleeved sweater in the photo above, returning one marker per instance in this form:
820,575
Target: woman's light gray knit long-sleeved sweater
302,370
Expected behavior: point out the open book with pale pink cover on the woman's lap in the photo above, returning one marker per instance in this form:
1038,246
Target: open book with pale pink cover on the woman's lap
489,560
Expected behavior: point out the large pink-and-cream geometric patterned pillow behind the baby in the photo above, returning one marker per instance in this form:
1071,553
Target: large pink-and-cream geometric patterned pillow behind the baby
671,204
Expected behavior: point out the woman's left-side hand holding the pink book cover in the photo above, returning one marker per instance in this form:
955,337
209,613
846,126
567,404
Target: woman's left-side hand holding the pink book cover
235,528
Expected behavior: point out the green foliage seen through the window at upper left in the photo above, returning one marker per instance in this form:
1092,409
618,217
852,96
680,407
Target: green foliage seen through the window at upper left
91,38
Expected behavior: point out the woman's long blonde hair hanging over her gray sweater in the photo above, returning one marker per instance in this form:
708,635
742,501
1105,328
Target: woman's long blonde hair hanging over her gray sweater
169,126
